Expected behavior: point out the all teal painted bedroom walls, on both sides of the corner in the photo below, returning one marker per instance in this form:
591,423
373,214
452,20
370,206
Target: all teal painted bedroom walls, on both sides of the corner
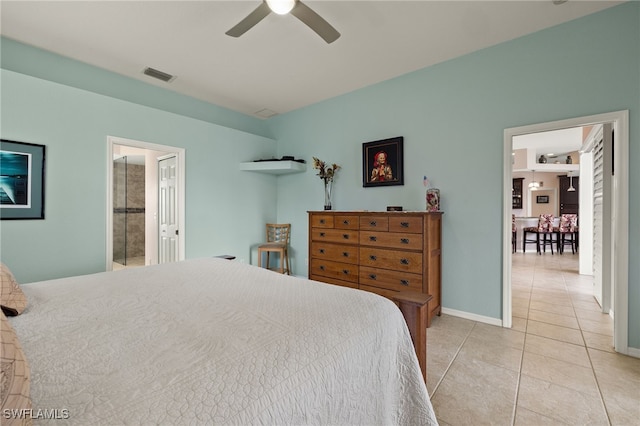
452,116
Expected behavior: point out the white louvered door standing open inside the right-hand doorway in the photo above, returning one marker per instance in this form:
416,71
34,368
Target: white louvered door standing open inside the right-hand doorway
602,218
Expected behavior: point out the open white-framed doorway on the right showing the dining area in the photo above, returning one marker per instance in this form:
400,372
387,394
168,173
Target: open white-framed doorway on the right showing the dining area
568,293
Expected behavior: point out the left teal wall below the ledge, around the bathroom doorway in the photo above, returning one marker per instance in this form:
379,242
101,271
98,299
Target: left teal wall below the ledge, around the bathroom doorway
226,208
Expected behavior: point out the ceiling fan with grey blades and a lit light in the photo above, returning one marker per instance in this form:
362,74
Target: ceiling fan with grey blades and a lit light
282,7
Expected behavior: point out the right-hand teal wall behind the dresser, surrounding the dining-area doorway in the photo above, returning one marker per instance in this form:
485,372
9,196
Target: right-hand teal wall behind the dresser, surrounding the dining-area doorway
452,117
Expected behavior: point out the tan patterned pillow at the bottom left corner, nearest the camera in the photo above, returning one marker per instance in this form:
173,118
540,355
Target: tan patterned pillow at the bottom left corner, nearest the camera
14,378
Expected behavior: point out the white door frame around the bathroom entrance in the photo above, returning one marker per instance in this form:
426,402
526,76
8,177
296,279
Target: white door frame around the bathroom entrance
180,158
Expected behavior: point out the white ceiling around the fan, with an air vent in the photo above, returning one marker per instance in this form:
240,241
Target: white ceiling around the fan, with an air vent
280,64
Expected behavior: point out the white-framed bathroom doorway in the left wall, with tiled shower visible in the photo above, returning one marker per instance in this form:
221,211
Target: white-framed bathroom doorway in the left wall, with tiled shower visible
134,207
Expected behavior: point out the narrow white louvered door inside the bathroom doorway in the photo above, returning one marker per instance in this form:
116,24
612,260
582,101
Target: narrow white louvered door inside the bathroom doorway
168,209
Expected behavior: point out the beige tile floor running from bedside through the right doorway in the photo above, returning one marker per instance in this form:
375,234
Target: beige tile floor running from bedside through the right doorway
556,366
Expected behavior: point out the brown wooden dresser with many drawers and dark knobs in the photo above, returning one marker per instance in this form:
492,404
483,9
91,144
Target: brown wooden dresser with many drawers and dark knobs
381,252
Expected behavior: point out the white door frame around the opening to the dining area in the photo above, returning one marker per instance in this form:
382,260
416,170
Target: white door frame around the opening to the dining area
620,205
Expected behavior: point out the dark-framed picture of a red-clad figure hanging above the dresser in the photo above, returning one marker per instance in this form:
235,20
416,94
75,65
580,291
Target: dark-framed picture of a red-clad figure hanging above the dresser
383,171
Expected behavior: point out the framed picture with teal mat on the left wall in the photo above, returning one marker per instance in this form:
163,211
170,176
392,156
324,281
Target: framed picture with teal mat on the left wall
21,180
